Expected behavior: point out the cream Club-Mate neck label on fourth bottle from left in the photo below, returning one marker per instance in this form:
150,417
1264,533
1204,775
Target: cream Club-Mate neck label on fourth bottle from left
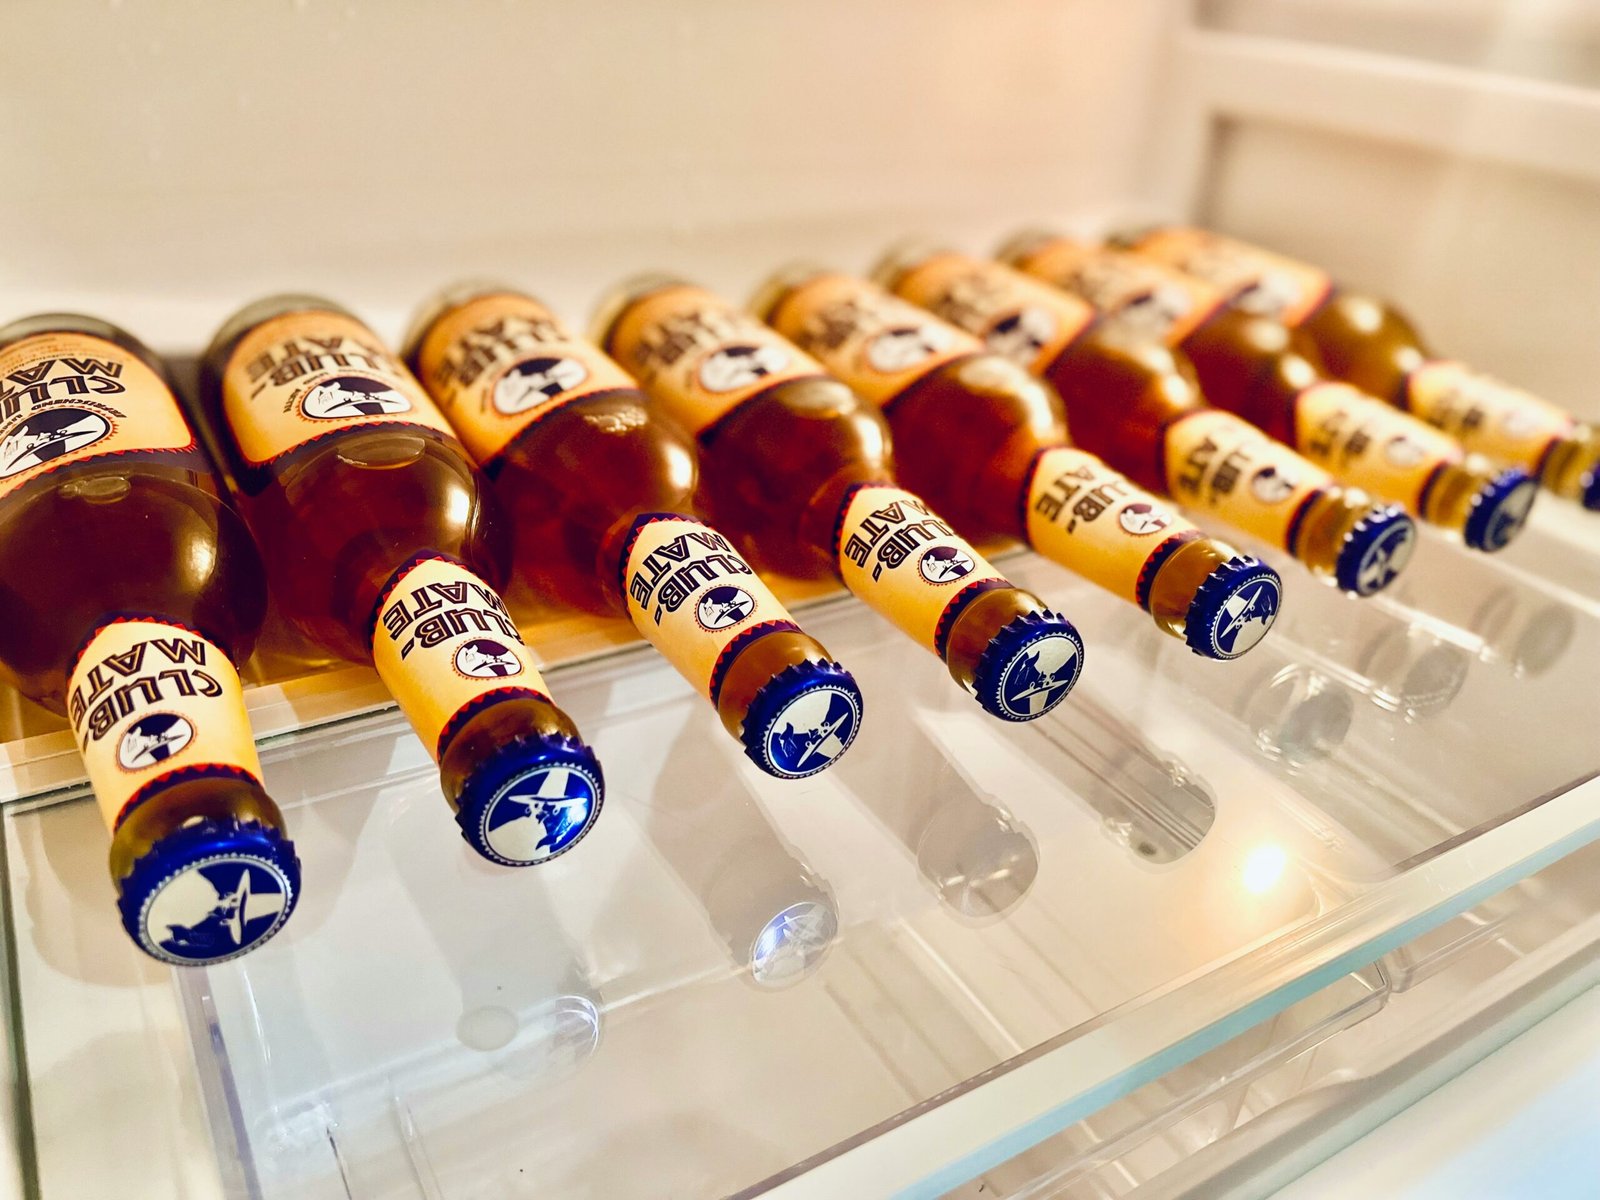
908,564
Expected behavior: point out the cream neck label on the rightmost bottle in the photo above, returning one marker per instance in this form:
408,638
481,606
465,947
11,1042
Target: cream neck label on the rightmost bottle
1487,417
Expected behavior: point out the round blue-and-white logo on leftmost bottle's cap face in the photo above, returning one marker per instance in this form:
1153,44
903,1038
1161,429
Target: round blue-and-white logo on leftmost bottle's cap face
217,910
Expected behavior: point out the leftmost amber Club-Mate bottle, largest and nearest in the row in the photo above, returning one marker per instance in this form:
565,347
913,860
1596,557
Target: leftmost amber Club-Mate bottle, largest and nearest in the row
132,591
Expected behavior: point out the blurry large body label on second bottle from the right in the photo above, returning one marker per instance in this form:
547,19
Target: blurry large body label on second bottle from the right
1138,295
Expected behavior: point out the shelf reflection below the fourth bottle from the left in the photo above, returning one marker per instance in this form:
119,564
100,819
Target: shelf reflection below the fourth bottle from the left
975,855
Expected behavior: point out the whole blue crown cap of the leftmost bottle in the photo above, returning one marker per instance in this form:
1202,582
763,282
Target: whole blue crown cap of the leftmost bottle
210,890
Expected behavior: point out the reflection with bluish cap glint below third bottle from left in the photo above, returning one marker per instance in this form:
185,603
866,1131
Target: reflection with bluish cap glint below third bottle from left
770,911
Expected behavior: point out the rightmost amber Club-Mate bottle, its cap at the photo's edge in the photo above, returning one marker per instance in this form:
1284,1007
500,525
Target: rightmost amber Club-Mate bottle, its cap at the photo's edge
1374,346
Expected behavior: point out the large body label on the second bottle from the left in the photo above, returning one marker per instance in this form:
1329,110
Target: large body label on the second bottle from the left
308,375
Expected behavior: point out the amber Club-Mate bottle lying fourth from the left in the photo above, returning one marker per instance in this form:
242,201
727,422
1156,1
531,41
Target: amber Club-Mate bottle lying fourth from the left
801,473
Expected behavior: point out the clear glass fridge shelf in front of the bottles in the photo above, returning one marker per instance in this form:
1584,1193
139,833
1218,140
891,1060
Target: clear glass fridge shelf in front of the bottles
884,980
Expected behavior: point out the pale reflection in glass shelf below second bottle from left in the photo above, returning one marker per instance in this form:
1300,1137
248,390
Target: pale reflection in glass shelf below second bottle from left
535,1006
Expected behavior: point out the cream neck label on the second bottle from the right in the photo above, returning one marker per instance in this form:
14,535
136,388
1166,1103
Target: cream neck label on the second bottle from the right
1366,442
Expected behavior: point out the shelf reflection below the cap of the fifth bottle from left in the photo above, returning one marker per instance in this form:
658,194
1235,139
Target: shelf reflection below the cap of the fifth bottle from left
1146,799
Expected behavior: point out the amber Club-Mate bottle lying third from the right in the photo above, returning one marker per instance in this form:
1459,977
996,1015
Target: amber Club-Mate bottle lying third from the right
1137,404
